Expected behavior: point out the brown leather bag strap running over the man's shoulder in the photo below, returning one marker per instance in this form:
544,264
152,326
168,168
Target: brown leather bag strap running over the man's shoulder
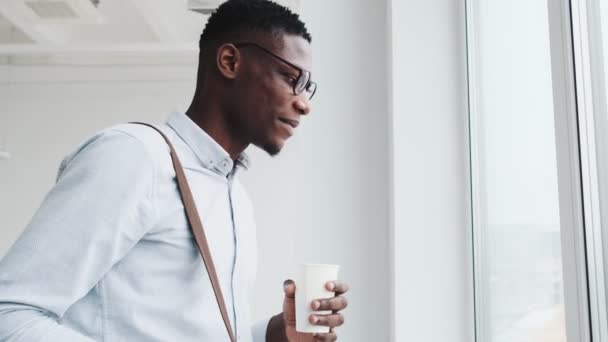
197,229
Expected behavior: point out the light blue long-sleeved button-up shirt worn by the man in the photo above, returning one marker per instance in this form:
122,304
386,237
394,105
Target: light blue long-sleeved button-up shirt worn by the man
109,255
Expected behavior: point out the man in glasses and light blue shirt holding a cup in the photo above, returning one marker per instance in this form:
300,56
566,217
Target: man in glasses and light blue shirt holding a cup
109,255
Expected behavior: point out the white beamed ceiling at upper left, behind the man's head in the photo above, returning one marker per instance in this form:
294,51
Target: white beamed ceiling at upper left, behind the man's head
111,22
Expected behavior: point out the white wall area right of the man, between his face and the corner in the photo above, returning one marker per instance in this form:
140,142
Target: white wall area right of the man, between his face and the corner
332,178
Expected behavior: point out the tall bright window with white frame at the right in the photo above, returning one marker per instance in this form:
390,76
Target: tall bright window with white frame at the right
538,128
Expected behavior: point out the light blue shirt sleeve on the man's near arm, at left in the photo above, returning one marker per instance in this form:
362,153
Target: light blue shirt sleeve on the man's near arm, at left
100,206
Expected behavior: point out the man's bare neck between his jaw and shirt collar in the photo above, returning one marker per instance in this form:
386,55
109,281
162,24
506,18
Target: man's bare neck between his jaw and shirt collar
211,118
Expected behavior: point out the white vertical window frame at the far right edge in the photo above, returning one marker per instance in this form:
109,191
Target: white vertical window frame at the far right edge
590,91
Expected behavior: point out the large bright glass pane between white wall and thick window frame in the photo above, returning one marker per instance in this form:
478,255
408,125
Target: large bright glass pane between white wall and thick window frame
519,225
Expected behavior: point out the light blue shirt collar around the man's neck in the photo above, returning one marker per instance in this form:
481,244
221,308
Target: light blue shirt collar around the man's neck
211,155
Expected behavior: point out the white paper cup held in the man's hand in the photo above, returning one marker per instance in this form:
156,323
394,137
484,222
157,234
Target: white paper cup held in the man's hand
310,285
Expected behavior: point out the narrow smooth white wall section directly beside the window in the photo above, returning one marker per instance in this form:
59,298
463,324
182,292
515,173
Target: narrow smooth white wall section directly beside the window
433,294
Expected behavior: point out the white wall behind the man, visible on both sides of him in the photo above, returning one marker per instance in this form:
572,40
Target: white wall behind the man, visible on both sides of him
332,178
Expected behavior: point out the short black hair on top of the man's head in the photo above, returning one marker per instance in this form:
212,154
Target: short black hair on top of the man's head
235,16
